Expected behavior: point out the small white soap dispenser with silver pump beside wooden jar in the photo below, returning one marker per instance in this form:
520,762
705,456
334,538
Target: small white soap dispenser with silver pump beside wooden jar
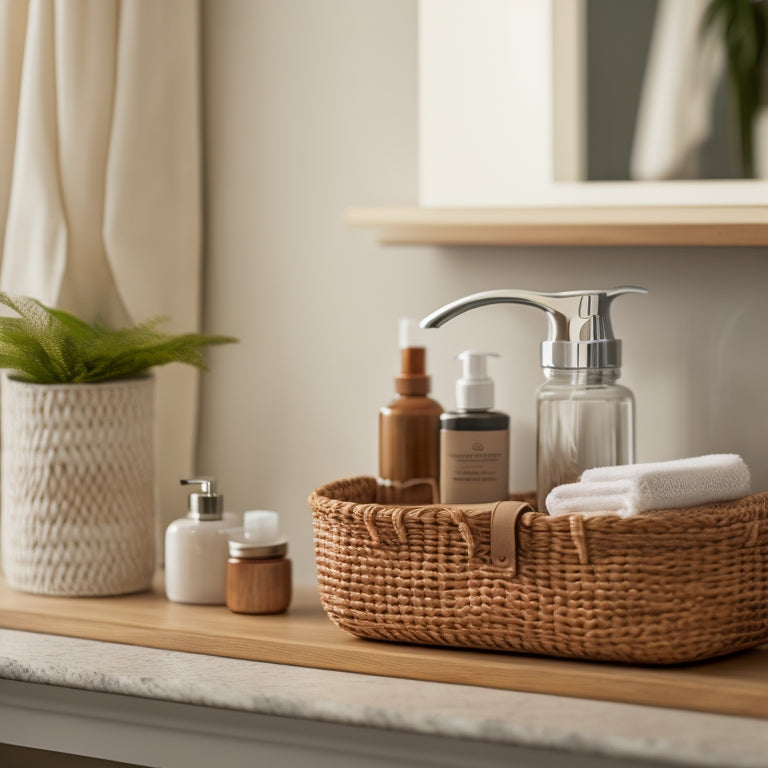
196,548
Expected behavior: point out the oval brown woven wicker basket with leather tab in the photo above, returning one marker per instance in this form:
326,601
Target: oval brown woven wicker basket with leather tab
662,587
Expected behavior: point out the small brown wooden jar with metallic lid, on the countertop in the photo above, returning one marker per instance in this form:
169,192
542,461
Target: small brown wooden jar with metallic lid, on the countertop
258,575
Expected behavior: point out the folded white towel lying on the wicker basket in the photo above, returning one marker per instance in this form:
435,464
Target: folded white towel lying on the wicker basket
632,488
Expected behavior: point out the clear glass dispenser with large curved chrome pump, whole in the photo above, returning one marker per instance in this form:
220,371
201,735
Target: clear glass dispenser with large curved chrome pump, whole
585,419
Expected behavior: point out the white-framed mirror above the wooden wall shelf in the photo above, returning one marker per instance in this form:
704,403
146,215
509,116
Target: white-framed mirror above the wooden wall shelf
522,101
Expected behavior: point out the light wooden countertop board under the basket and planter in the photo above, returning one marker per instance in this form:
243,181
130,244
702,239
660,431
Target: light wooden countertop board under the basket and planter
736,685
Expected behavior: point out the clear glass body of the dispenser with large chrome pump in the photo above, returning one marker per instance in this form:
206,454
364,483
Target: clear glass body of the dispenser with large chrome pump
585,420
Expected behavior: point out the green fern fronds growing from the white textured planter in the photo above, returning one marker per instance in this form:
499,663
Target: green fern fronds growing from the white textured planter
49,346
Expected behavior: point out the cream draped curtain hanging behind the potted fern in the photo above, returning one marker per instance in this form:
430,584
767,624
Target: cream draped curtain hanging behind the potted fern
100,166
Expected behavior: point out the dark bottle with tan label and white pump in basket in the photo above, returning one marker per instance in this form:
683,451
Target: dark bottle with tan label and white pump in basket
474,440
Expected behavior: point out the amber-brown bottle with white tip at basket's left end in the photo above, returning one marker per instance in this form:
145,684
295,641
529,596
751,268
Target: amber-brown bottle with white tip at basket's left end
409,433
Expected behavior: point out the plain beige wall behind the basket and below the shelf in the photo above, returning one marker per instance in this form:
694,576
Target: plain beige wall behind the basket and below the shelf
311,108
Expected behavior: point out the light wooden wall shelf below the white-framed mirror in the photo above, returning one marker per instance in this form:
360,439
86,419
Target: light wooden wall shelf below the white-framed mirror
670,225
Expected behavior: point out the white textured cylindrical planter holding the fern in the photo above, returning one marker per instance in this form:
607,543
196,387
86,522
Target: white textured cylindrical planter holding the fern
78,487
